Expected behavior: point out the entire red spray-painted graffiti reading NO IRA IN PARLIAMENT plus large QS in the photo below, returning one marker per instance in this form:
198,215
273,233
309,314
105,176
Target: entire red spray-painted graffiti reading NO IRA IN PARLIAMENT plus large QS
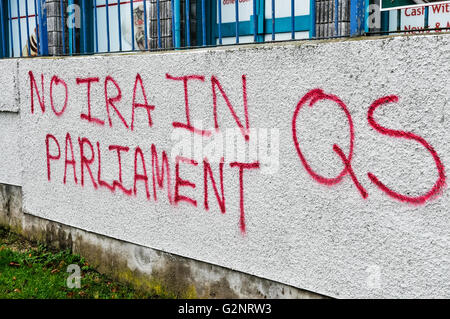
186,191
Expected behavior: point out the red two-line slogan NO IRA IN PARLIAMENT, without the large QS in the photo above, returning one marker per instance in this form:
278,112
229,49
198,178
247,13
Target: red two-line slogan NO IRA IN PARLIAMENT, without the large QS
90,153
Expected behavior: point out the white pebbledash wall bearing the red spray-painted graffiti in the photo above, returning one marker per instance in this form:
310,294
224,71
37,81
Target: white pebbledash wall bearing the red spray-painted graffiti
298,215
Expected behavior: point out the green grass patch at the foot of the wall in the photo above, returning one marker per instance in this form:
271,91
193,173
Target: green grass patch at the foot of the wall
30,270
